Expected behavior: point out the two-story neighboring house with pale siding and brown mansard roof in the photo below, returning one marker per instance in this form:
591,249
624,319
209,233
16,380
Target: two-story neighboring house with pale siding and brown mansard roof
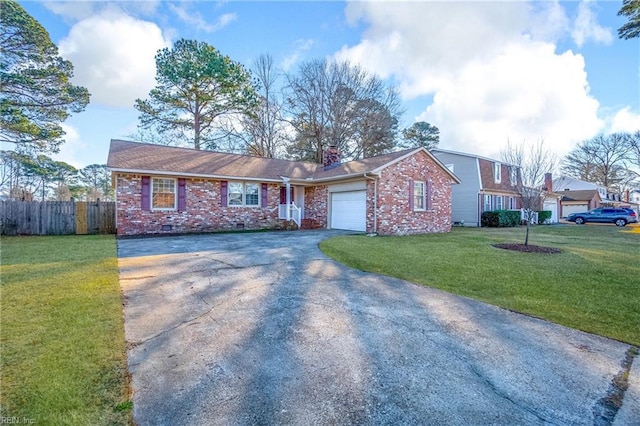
486,185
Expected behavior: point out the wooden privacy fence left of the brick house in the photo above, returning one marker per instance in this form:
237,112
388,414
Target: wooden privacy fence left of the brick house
57,217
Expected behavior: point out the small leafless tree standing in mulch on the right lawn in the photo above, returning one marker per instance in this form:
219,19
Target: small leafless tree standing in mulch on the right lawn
529,163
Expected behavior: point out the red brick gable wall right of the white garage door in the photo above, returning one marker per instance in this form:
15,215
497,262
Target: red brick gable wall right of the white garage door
395,217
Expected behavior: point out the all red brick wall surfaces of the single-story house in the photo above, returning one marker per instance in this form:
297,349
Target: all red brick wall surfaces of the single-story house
203,213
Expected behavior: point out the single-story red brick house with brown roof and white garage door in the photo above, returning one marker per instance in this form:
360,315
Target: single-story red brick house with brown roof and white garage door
161,189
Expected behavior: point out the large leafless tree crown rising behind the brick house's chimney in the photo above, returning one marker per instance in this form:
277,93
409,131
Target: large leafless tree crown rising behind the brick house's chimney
336,103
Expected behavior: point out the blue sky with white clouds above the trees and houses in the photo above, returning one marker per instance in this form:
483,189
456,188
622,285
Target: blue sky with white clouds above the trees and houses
484,72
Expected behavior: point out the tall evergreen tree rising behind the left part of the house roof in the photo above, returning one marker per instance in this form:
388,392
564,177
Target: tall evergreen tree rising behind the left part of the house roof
197,89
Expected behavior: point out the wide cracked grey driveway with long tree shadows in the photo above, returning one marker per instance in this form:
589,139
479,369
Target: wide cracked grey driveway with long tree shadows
262,328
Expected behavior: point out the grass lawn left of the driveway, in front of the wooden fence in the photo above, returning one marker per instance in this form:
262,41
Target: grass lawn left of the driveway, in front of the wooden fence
62,357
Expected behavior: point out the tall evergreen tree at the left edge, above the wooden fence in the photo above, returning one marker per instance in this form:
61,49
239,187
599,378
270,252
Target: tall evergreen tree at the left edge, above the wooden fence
35,83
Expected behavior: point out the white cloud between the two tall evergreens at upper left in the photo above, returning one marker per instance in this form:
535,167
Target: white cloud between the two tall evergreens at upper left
113,56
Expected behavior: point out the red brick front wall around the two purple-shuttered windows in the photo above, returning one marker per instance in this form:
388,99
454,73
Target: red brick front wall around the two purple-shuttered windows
203,211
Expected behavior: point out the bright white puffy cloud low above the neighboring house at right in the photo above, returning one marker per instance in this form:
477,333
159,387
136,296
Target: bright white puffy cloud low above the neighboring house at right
526,93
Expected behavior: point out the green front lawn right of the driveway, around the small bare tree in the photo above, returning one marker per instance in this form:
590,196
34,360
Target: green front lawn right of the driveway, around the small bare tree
593,285
